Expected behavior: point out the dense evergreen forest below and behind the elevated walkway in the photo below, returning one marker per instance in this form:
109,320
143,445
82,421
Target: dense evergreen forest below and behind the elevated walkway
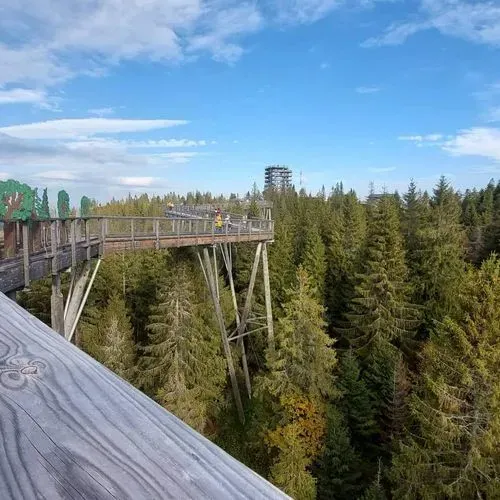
384,381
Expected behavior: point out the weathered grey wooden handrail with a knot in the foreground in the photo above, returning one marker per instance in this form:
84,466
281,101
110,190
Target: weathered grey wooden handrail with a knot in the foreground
72,429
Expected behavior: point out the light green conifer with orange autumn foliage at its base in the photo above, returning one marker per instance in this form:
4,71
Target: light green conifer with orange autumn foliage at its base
299,378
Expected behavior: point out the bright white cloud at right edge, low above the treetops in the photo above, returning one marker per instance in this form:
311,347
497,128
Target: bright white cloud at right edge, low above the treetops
478,141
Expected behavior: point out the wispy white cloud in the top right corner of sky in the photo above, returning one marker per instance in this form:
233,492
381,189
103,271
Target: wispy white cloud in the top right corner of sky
476,21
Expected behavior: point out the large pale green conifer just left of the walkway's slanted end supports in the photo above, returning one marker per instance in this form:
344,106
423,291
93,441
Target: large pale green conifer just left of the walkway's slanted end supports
182,365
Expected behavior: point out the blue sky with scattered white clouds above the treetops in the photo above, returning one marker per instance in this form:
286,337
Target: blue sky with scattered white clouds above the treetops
107,97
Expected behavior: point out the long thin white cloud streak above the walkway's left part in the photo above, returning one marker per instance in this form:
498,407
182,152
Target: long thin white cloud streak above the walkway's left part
84,127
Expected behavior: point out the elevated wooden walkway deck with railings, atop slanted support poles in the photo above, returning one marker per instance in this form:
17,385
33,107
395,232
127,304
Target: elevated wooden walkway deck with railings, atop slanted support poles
37,249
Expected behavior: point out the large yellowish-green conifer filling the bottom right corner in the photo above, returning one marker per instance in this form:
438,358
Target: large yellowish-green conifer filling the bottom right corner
456,451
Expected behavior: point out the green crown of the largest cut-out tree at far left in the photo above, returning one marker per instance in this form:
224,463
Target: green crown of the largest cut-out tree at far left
17,200
